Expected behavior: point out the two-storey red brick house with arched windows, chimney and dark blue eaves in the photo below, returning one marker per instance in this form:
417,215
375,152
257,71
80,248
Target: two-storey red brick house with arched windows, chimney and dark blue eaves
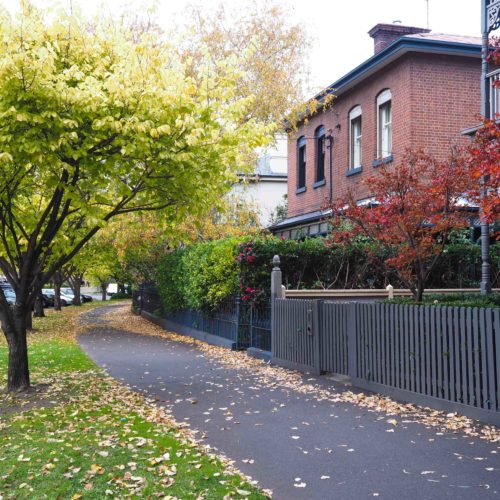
418,90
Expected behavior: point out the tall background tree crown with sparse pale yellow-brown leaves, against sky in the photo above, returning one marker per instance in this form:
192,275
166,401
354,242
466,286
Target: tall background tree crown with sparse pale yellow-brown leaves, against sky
272,52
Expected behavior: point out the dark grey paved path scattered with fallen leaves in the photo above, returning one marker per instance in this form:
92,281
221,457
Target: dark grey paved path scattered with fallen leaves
292,444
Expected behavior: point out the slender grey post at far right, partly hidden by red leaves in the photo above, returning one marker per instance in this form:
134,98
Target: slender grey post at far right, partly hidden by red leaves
490,20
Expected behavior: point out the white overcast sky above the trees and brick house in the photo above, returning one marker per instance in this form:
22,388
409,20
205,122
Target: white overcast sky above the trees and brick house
338,27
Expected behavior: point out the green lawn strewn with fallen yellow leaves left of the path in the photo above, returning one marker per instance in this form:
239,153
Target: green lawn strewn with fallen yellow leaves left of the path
80,434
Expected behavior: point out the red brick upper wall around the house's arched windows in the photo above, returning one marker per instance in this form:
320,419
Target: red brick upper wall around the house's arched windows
433,99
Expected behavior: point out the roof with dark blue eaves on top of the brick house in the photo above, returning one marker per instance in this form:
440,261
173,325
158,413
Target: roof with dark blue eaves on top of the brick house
437,43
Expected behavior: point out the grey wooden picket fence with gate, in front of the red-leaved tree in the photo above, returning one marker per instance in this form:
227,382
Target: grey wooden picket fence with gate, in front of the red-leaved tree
444,357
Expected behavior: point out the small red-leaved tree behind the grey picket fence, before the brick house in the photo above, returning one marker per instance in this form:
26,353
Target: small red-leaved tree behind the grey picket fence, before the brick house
414,207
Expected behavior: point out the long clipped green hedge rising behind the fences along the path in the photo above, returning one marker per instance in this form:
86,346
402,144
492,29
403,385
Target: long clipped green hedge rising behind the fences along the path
201,276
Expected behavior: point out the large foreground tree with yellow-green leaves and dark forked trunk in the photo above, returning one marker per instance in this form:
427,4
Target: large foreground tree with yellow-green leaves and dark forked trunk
96,121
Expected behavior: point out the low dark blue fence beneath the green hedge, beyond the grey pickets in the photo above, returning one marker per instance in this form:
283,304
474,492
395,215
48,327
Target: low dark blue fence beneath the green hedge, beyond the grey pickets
240,323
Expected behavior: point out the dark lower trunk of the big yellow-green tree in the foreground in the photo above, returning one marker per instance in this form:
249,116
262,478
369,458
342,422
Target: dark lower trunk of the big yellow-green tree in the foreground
18,376
